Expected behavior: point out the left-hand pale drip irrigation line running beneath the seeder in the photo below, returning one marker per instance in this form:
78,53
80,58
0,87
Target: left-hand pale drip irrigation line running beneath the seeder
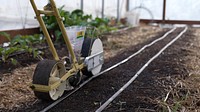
106,70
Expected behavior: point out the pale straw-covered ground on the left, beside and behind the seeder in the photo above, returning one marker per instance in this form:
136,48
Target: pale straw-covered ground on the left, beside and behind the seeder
14,85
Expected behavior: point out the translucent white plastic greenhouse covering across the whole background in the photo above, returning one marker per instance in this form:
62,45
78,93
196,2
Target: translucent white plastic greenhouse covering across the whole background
18,14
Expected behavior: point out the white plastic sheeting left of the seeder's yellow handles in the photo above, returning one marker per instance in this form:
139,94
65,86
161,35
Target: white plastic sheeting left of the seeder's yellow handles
15,14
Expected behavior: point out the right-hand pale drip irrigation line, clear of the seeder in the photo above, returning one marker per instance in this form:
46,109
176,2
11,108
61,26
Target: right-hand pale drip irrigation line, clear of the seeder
101,108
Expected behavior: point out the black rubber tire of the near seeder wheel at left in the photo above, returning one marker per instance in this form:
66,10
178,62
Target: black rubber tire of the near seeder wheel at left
41,76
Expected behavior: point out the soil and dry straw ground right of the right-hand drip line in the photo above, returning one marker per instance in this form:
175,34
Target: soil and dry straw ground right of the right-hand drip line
164,84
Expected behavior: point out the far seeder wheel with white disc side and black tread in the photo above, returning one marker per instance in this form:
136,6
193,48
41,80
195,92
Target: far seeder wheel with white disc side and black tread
90,47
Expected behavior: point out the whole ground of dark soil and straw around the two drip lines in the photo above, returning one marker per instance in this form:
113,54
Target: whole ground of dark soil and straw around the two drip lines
175,72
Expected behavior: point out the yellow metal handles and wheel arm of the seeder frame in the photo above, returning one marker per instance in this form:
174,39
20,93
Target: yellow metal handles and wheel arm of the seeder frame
54,12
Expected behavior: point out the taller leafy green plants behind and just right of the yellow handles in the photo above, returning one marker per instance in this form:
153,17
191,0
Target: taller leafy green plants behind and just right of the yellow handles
77,17
